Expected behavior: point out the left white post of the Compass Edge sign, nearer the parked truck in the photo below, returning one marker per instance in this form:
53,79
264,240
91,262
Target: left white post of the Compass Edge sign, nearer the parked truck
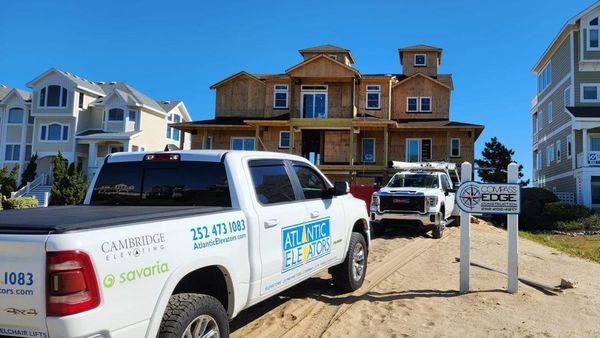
465,235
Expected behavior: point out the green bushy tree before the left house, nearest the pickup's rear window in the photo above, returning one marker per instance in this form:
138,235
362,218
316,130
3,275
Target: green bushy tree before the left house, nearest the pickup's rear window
69,185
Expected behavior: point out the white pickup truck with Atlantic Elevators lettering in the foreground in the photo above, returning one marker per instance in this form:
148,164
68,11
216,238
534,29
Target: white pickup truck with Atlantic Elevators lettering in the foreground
175,244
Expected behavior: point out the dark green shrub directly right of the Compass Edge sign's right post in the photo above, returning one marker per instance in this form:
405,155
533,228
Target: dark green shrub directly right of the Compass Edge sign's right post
533,201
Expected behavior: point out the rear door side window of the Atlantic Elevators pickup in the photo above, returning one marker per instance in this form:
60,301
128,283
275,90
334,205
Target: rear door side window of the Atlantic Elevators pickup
271,182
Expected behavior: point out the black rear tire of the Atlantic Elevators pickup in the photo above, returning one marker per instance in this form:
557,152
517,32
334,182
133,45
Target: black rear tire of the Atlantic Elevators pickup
184,308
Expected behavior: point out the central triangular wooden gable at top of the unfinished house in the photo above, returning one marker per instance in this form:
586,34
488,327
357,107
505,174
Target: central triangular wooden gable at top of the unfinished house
322,66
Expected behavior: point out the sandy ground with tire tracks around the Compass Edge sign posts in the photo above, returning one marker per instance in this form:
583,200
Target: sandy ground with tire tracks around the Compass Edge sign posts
411,289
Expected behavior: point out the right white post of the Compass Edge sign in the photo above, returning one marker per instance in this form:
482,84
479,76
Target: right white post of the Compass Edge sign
513,237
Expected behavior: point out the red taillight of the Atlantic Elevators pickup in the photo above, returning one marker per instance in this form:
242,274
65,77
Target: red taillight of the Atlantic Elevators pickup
71,283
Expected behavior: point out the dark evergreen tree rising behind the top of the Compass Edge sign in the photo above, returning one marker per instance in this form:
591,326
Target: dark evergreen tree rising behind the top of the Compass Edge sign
495,161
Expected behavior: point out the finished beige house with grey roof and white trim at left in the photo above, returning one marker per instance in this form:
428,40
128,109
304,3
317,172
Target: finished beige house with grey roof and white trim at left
85,120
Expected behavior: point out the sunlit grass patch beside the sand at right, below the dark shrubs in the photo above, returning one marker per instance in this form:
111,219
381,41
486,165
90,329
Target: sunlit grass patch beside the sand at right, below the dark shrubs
587,247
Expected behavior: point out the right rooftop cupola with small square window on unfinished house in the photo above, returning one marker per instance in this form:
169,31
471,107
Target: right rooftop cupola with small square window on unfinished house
420,59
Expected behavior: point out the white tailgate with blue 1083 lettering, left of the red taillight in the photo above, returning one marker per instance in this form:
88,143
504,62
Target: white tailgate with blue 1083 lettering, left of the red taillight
22,285
